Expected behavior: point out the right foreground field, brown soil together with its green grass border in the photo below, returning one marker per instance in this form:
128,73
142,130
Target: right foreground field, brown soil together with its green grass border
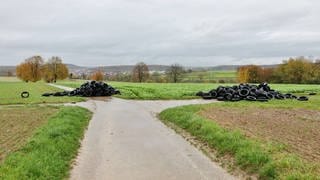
278,139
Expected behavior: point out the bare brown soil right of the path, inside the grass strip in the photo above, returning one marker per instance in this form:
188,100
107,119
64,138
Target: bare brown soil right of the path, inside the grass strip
297,128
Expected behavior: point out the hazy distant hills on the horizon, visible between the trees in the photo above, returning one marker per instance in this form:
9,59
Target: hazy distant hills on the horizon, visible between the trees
128,68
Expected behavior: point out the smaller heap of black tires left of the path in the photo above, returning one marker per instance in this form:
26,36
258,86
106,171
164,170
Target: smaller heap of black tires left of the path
88,89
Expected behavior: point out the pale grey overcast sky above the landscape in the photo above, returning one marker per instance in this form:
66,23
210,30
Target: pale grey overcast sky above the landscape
189,32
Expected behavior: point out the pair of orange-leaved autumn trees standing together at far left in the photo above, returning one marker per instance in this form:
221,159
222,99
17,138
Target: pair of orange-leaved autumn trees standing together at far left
35,68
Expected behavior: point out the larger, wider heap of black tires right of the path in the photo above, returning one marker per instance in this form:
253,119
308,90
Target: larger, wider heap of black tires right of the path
249,92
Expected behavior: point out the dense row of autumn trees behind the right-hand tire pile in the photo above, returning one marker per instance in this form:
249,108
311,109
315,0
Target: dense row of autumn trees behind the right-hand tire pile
299,70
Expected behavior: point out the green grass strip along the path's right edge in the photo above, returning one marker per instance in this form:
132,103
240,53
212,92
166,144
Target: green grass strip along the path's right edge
248,154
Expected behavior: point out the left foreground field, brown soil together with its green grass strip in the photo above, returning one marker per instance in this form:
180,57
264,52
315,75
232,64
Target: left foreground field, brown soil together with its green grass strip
40,147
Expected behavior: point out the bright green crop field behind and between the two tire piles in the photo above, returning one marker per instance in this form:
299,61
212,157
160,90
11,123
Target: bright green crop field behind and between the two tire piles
153,91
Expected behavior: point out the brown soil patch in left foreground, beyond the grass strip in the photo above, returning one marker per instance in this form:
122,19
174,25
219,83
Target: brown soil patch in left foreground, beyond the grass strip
17,125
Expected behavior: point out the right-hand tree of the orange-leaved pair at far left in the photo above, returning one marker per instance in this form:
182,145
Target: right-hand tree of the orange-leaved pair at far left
54,70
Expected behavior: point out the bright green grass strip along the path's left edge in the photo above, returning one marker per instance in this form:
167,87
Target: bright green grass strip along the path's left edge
49,152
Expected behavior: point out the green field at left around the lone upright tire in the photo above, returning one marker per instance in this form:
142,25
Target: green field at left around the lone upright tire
10,93
